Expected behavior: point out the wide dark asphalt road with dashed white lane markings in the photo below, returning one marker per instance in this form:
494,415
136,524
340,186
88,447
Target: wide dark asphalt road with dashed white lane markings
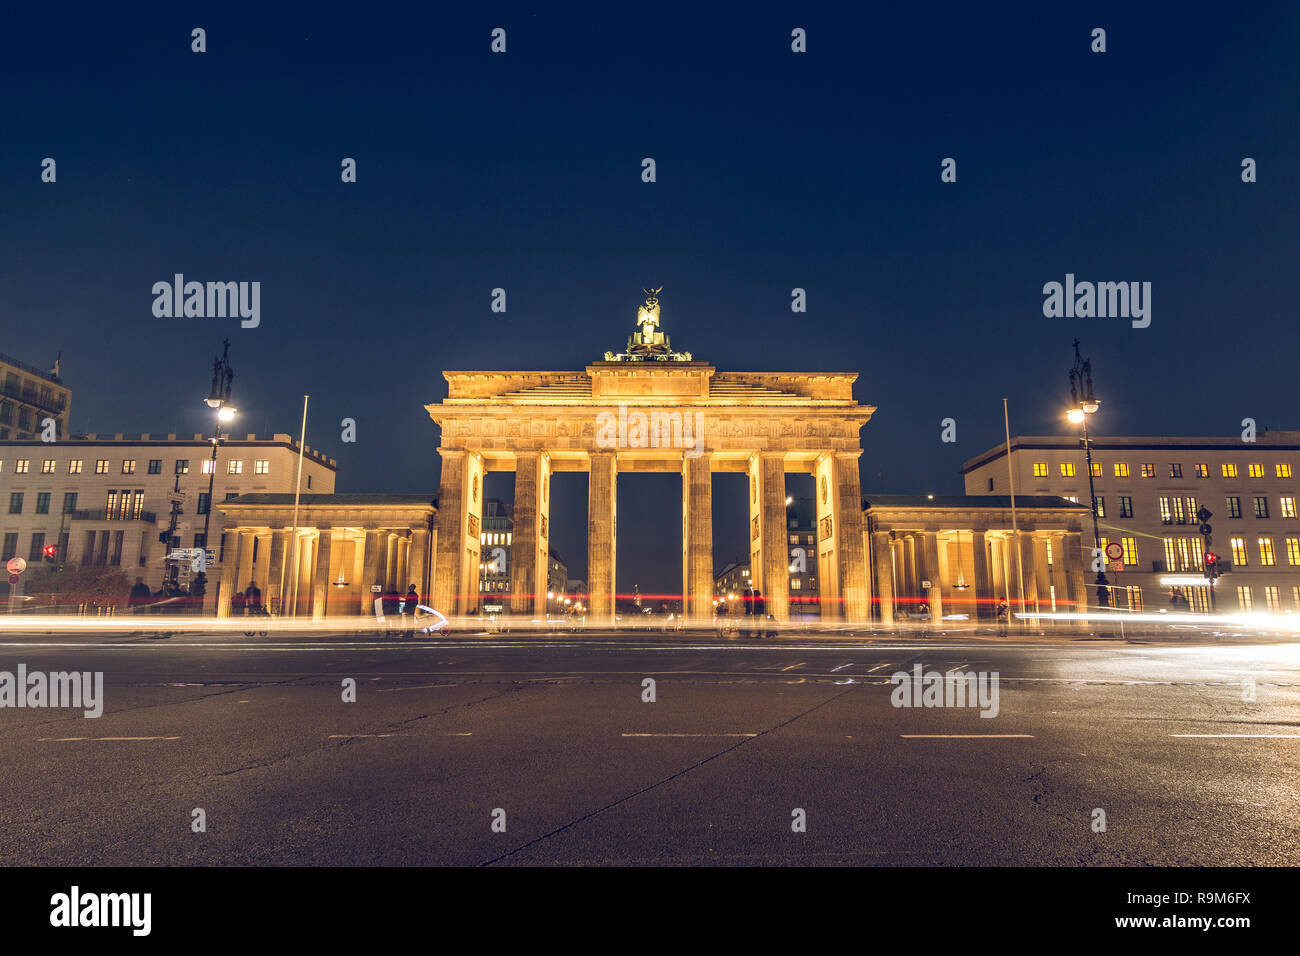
557,736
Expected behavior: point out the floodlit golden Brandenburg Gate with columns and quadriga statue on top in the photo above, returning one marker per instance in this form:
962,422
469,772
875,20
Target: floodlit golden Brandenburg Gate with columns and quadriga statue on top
651,409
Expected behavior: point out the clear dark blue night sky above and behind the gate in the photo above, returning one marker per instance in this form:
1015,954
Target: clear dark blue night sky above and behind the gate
523,171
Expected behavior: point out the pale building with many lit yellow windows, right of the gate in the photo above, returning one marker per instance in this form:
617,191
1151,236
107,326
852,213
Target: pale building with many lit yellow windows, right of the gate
1149,492
